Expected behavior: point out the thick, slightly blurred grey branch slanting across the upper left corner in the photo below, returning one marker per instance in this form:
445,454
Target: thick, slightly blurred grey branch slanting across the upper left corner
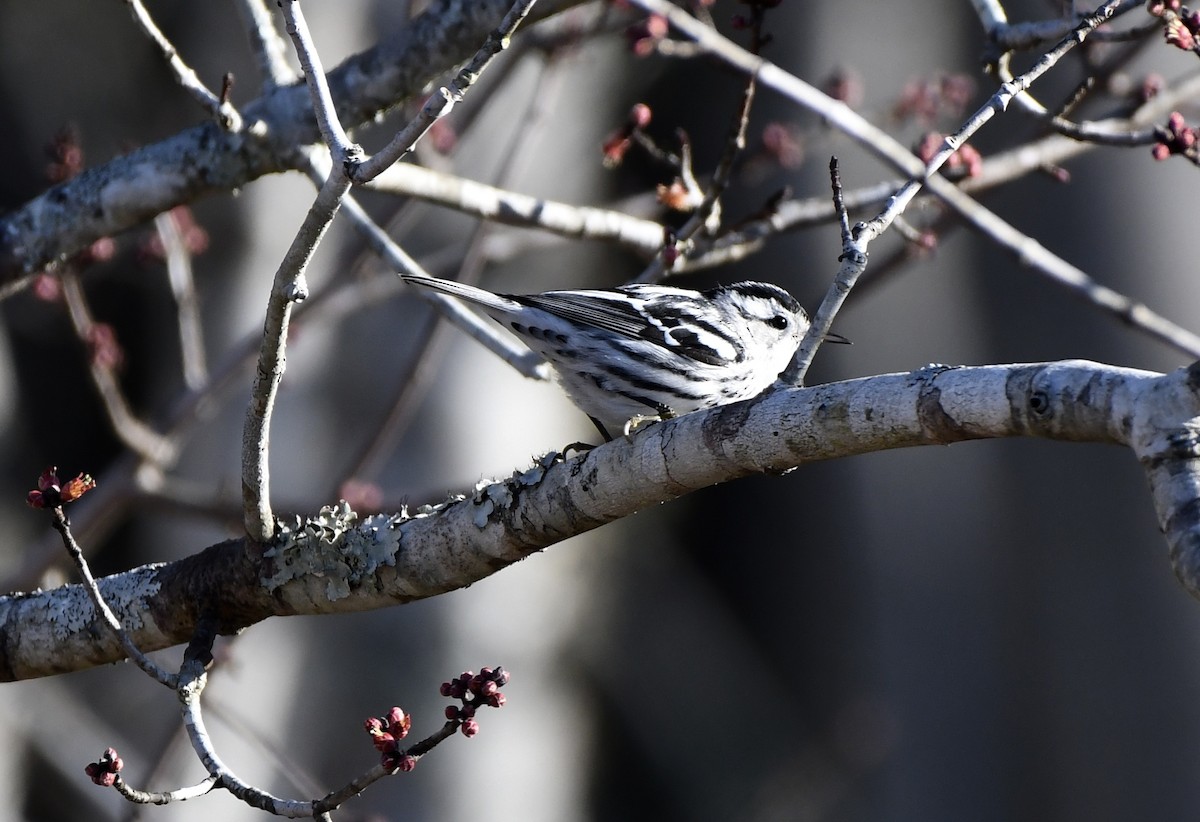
128,191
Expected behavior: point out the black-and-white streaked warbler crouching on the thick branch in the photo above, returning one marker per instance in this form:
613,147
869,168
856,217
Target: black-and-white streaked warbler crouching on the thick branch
639,352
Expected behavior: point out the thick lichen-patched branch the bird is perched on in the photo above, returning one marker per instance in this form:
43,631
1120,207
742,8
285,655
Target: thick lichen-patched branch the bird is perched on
338,562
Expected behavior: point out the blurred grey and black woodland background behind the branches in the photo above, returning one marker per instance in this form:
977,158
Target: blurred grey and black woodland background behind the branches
986,632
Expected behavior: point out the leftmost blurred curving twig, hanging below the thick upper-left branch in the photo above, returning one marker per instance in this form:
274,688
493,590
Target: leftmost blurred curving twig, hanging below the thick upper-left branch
140,437
